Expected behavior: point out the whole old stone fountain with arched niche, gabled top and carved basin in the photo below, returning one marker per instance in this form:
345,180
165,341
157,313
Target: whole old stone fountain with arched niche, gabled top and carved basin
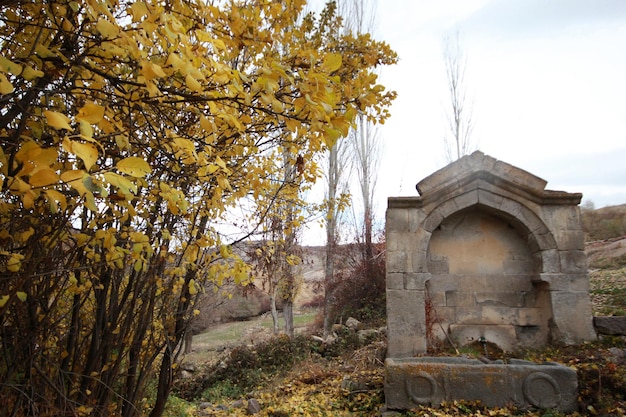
484,254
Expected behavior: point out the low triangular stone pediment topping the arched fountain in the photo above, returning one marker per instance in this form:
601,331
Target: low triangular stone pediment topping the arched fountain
482,171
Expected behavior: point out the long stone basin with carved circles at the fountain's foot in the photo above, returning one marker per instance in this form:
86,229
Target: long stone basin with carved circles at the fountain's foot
432,380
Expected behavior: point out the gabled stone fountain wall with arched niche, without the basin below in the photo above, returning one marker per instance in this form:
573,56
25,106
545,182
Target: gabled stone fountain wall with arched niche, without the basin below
485,253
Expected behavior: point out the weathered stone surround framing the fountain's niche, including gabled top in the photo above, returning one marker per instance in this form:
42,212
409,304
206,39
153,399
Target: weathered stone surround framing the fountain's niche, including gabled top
549,219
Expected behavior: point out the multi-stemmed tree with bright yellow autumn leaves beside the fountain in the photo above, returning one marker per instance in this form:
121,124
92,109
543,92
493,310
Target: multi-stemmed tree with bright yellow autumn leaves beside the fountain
128,130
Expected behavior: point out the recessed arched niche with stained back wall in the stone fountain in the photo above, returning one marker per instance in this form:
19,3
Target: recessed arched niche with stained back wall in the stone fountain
484,278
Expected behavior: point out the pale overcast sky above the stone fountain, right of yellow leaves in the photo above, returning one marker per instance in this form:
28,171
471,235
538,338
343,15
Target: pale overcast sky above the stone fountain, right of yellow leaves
548,82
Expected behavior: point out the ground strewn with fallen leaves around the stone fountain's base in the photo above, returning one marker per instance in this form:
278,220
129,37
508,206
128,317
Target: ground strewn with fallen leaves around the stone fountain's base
299,378
